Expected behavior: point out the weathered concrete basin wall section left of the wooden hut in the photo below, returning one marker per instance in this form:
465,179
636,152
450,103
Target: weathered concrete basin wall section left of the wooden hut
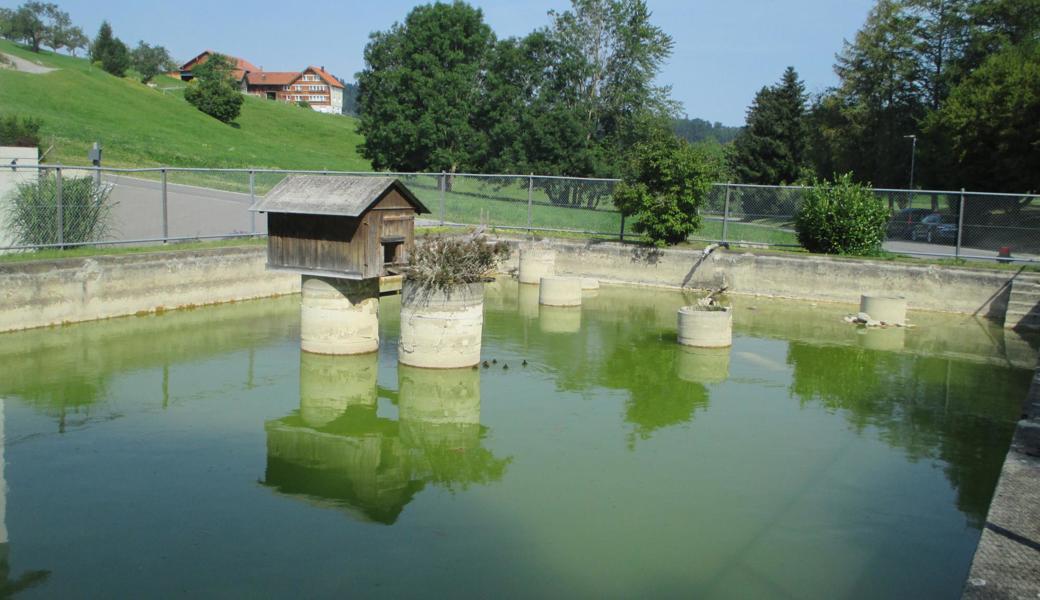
43,294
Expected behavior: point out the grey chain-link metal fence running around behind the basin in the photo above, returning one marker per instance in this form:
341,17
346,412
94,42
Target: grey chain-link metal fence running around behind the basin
56,206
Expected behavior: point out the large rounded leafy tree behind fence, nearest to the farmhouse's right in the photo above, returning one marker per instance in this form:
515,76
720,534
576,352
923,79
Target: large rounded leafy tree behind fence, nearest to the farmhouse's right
421,89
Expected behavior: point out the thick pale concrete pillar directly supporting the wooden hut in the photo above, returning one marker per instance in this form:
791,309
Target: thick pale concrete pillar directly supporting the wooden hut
340,317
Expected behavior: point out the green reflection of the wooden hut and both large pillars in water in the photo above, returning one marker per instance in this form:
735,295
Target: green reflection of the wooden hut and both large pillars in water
336,451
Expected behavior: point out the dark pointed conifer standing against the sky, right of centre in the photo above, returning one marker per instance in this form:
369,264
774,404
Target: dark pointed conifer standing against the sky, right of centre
773,147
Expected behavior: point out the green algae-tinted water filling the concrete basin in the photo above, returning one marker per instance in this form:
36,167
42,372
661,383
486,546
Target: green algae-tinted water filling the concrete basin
199,454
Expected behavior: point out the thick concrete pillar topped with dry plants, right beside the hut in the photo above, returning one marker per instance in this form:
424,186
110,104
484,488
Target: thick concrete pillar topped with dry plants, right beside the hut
441,330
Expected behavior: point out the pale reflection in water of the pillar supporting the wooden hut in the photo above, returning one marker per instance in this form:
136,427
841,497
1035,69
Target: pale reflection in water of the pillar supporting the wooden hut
331,384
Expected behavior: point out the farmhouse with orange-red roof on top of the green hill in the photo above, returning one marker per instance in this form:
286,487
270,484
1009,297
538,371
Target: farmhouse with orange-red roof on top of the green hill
315,86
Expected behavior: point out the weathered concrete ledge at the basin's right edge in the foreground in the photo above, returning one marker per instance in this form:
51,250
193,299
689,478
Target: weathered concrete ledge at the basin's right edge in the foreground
1007,562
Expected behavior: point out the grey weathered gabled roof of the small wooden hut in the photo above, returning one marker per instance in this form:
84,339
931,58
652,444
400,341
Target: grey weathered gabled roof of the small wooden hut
332,195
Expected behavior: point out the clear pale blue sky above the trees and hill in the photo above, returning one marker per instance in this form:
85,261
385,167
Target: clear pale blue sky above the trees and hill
725,50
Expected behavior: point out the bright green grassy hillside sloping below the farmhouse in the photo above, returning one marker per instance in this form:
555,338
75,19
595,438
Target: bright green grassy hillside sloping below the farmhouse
142,126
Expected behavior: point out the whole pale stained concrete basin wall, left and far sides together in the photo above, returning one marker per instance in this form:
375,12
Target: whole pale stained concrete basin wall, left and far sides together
41,294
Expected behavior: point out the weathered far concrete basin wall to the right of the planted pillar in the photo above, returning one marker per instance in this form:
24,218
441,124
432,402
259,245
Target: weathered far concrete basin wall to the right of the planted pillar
977,293
